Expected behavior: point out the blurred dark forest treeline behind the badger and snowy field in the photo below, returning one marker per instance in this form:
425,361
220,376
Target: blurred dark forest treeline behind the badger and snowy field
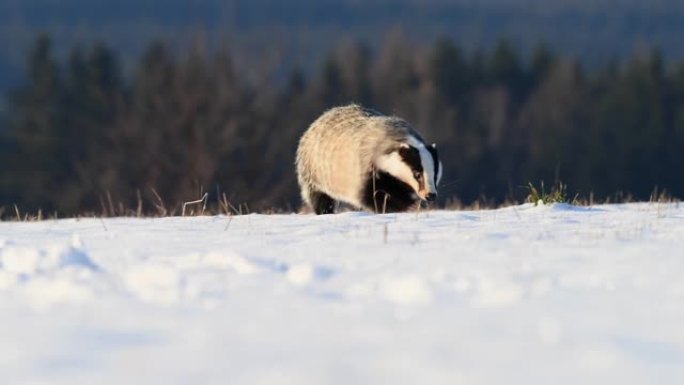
81,136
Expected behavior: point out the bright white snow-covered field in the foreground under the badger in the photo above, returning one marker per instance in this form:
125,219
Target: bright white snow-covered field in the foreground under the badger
522,295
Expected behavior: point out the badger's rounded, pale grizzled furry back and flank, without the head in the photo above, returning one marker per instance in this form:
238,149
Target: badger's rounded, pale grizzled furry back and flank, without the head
335,154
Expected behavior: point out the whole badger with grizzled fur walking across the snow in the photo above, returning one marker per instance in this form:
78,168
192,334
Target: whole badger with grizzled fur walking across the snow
368,160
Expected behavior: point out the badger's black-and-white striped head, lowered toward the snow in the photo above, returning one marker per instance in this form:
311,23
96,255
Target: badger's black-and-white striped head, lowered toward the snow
416,164
